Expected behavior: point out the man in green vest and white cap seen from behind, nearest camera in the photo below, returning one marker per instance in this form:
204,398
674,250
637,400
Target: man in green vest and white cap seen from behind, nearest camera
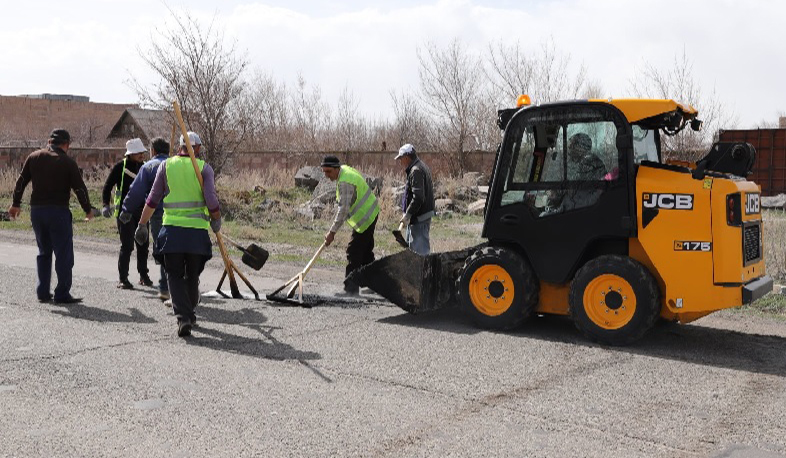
184,241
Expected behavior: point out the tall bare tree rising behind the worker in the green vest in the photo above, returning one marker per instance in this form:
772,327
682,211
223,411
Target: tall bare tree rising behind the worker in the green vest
206,76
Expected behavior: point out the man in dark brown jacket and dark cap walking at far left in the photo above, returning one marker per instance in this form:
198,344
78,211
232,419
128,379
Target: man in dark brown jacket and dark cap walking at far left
54,175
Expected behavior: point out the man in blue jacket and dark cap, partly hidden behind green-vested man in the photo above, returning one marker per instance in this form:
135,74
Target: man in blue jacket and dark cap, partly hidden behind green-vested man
135,201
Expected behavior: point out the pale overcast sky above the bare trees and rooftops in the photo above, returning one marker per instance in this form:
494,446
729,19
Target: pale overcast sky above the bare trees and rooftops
90,47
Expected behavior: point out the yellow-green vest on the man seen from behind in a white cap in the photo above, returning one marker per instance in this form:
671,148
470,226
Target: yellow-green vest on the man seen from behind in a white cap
184,206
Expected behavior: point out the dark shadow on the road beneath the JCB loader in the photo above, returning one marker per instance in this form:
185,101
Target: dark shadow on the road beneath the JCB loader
691,343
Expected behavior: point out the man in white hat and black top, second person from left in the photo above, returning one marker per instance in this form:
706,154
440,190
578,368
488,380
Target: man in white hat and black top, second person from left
120,179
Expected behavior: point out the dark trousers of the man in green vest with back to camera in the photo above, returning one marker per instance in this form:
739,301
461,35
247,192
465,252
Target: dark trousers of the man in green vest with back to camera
183,270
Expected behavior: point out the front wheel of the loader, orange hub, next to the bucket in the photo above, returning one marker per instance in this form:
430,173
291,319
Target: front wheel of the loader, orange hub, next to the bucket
497,288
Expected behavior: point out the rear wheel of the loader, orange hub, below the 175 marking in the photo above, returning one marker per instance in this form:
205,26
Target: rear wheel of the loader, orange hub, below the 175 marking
614,300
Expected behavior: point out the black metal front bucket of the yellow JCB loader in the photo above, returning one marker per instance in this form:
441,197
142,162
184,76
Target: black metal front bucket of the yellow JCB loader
413,282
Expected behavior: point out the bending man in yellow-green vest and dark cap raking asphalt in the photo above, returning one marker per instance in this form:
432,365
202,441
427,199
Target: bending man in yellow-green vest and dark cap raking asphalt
358,206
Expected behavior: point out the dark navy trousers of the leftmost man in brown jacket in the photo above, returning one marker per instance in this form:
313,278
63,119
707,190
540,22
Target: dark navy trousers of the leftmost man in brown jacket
54,233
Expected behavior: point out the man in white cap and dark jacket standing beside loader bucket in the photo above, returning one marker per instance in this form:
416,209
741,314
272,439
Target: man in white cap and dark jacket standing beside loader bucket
418,200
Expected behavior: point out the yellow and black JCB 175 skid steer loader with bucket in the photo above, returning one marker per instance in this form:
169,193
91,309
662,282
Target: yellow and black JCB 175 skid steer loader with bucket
584,219
